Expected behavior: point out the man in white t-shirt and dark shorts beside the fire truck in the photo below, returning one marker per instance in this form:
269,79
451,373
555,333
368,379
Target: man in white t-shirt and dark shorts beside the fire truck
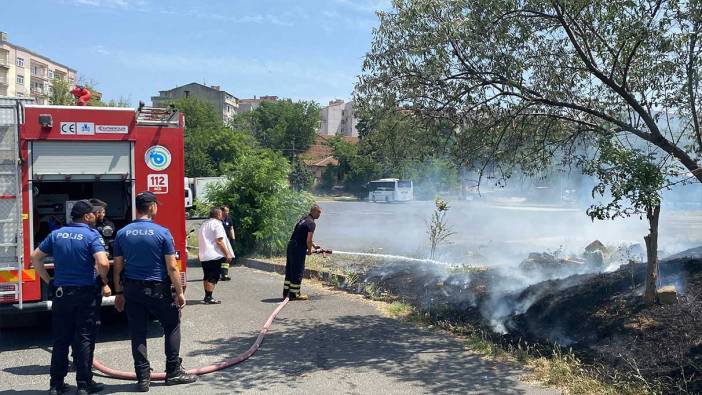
214,249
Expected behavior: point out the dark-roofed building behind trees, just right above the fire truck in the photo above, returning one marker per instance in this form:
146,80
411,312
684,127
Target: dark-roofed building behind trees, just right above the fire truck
225,103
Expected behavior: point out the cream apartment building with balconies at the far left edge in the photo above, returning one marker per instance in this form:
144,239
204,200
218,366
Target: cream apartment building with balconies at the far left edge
24,73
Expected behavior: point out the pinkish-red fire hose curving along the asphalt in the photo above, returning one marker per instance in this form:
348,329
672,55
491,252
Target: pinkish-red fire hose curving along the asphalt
122,375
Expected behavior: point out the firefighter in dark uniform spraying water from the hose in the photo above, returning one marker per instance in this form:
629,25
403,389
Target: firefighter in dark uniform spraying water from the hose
299,246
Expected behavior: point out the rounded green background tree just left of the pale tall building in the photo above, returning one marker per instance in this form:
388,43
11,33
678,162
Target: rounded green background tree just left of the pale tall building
283,125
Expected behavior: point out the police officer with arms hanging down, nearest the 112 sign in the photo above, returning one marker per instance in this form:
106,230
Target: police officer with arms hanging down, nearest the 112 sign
145,253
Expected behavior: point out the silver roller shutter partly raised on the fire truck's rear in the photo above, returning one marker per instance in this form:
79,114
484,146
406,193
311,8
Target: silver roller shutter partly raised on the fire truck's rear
54,160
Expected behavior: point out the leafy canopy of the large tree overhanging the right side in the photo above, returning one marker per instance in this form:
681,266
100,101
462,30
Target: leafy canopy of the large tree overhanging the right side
530,82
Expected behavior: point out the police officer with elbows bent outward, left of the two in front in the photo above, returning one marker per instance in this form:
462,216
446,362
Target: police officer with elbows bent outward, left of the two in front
79,252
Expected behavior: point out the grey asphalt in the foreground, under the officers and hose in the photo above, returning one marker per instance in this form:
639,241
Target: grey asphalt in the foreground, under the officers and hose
335,343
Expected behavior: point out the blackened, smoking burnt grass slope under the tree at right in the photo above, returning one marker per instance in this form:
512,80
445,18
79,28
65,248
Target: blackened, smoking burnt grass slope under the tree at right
600,316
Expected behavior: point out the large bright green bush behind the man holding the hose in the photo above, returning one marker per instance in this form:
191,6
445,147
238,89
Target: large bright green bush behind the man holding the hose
263,207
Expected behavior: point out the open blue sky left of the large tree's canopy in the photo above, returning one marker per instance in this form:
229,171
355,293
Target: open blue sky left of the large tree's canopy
304,49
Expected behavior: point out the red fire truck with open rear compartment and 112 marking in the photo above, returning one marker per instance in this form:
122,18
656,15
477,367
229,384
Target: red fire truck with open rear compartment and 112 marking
52,156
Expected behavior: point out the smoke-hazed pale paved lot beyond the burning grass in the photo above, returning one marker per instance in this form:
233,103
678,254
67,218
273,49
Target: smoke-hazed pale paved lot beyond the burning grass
502,233
